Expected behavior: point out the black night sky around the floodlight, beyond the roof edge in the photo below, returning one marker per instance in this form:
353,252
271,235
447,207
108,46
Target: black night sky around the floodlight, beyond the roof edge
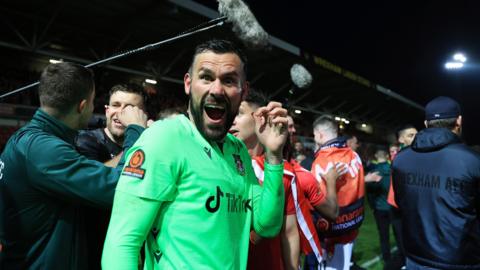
400,45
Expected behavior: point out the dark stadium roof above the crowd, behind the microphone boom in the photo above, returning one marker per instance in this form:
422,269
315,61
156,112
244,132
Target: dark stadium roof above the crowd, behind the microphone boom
86,31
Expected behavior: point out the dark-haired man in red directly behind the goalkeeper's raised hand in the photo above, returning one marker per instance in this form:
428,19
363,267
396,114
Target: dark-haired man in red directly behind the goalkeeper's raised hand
283,251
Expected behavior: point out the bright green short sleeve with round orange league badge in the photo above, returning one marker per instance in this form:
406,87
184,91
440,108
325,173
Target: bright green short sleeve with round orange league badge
153,164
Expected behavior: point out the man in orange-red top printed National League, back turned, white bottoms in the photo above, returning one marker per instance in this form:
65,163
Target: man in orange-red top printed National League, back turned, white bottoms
339,235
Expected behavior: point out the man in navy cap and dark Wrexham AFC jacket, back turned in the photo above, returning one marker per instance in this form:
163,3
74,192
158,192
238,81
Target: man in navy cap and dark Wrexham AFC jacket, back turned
436,183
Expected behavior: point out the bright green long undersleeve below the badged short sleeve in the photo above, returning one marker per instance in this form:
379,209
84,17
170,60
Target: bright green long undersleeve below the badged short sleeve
132,217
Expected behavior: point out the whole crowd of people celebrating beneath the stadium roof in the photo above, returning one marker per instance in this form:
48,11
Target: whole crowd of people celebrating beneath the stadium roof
225,184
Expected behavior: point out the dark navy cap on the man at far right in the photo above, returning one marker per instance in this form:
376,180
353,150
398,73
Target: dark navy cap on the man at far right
442,108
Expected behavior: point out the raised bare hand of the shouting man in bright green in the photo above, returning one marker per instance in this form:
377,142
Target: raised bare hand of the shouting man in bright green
271,129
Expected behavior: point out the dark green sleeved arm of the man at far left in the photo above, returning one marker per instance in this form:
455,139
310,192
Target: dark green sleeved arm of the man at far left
62,172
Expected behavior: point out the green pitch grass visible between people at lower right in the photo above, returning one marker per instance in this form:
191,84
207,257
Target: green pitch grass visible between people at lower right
367,245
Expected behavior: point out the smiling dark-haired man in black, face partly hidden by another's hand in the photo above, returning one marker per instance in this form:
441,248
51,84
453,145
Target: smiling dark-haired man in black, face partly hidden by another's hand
105,145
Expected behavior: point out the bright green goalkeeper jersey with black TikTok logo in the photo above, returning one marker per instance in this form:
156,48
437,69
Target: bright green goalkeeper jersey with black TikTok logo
193,201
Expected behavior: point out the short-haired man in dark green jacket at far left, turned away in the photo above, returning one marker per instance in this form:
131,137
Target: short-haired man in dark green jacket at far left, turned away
45,182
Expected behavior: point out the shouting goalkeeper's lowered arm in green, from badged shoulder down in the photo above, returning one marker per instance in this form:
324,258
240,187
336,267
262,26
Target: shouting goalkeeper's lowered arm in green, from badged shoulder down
139,195
